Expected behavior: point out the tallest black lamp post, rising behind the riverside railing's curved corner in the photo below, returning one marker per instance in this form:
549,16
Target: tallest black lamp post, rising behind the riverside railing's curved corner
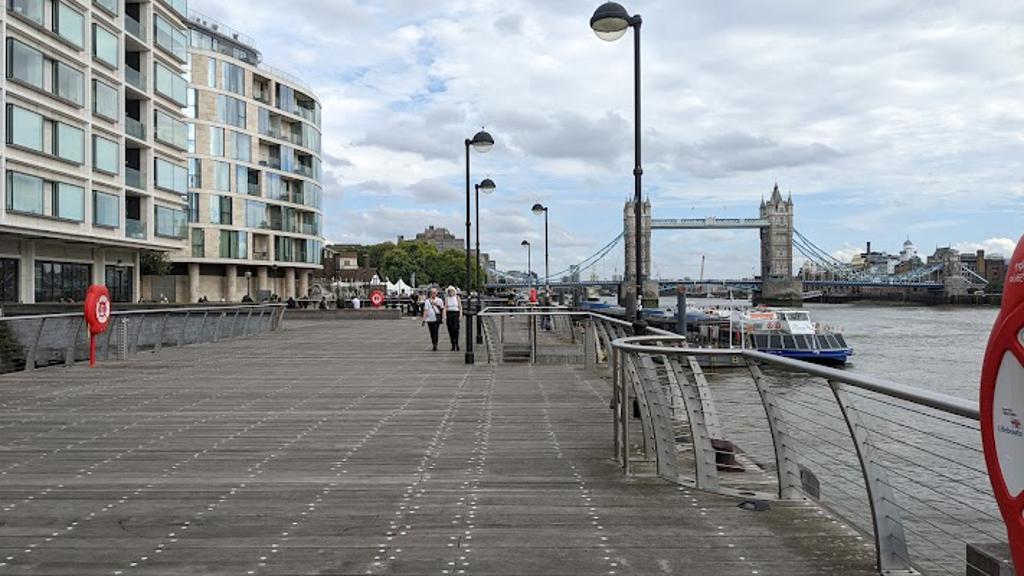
610,23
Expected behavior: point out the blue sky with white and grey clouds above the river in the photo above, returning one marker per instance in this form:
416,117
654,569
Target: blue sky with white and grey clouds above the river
886,120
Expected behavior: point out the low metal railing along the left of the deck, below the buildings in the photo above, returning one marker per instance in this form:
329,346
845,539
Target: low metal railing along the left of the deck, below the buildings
28,343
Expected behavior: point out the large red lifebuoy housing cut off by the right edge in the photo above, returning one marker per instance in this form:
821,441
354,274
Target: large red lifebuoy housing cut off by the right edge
1003,406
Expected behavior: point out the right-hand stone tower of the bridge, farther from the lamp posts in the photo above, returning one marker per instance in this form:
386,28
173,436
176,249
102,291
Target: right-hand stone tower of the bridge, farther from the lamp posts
778,283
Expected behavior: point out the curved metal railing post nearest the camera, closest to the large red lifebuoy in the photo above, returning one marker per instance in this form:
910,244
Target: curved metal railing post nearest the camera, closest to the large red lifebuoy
890,542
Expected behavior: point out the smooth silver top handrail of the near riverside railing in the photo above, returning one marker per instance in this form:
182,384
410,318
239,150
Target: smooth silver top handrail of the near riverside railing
937,401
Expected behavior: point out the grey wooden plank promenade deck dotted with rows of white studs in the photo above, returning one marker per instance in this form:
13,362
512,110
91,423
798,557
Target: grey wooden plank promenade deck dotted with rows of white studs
349,448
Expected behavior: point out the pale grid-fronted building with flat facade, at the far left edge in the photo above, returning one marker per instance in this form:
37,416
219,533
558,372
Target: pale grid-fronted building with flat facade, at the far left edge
94,160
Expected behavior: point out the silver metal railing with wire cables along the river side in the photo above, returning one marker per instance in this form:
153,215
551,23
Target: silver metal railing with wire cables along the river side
901,465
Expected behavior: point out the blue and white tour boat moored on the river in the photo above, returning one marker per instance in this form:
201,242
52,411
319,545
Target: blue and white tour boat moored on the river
791,334
